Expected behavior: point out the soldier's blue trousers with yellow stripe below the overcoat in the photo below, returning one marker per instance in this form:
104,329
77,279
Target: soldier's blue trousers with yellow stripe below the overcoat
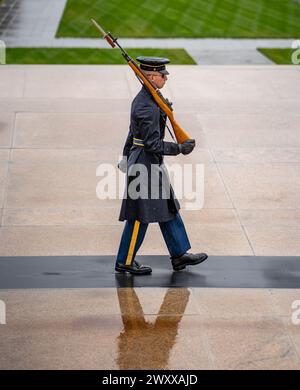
173,231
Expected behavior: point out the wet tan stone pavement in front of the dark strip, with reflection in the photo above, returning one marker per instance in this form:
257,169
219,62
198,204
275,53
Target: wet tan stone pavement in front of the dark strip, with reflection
142,328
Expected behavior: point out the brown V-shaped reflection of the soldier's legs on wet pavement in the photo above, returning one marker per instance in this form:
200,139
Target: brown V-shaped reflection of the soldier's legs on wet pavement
145,345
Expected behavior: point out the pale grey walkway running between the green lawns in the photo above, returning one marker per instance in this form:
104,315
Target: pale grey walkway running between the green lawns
33,23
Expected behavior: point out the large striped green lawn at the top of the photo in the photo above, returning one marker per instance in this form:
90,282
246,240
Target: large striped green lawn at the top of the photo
183,18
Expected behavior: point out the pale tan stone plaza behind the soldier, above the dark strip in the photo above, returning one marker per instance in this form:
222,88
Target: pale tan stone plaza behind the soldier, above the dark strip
58,123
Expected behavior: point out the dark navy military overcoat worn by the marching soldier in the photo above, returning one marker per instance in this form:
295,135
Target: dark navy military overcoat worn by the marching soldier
147,125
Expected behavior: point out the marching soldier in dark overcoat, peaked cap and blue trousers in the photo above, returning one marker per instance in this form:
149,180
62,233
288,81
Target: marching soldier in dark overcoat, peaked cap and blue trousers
145,146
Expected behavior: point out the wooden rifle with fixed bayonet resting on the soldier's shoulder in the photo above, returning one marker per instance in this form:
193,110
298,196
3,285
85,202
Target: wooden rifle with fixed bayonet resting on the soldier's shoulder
163,103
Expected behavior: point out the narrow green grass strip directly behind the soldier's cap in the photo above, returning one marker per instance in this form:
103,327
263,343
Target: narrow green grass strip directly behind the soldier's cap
89,56
